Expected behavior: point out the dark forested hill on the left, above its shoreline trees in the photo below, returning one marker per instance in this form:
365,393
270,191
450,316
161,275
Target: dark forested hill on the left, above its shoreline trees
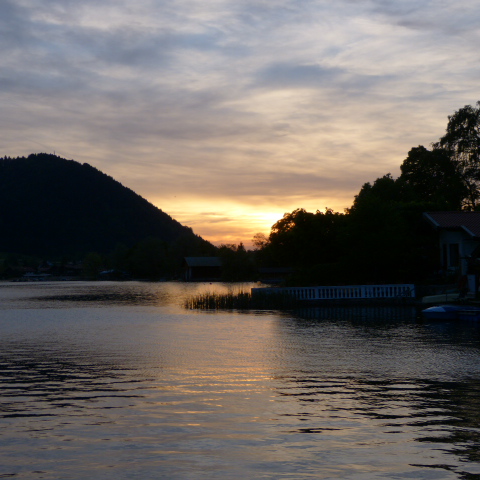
50,206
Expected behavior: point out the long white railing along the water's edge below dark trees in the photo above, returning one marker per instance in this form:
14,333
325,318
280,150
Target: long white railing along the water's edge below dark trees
344,292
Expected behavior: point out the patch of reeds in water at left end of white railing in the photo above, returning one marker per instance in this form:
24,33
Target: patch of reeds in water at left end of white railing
241,301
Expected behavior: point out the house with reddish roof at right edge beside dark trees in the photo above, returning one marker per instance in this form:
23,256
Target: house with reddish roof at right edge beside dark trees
459,238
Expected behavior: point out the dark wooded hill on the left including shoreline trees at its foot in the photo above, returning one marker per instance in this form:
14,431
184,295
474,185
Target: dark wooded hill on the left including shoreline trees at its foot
64,217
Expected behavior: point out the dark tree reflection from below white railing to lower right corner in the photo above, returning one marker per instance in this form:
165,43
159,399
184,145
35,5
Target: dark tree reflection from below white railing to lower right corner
409,377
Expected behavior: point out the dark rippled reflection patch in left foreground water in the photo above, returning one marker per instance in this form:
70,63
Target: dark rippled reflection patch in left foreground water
38,382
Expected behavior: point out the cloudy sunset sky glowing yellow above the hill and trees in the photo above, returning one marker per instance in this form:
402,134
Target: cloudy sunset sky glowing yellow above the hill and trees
226,114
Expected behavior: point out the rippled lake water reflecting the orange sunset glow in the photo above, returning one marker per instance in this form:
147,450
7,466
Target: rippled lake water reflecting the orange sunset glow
119,381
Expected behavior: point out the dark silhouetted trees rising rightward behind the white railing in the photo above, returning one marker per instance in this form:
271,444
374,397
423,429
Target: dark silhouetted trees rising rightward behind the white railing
382,237
